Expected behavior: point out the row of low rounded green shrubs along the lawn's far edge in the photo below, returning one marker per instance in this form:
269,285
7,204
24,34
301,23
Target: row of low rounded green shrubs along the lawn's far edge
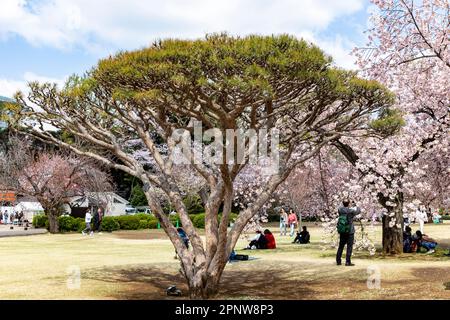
134,222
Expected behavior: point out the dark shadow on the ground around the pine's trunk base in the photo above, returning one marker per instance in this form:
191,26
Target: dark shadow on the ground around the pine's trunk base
150,282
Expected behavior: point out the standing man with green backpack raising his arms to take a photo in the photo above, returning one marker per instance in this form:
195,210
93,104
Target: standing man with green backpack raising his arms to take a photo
346,231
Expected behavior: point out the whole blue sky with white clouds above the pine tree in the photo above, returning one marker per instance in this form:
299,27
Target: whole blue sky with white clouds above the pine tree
48,40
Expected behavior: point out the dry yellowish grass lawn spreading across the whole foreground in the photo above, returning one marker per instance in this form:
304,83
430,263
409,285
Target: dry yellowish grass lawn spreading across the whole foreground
141,264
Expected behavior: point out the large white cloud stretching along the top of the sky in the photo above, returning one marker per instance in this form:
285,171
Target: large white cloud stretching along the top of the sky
111,24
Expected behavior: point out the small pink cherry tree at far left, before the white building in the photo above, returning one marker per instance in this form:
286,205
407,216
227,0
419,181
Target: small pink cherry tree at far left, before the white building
51,177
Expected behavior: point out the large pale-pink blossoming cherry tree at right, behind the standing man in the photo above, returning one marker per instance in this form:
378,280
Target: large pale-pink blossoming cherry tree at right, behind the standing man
408,50
